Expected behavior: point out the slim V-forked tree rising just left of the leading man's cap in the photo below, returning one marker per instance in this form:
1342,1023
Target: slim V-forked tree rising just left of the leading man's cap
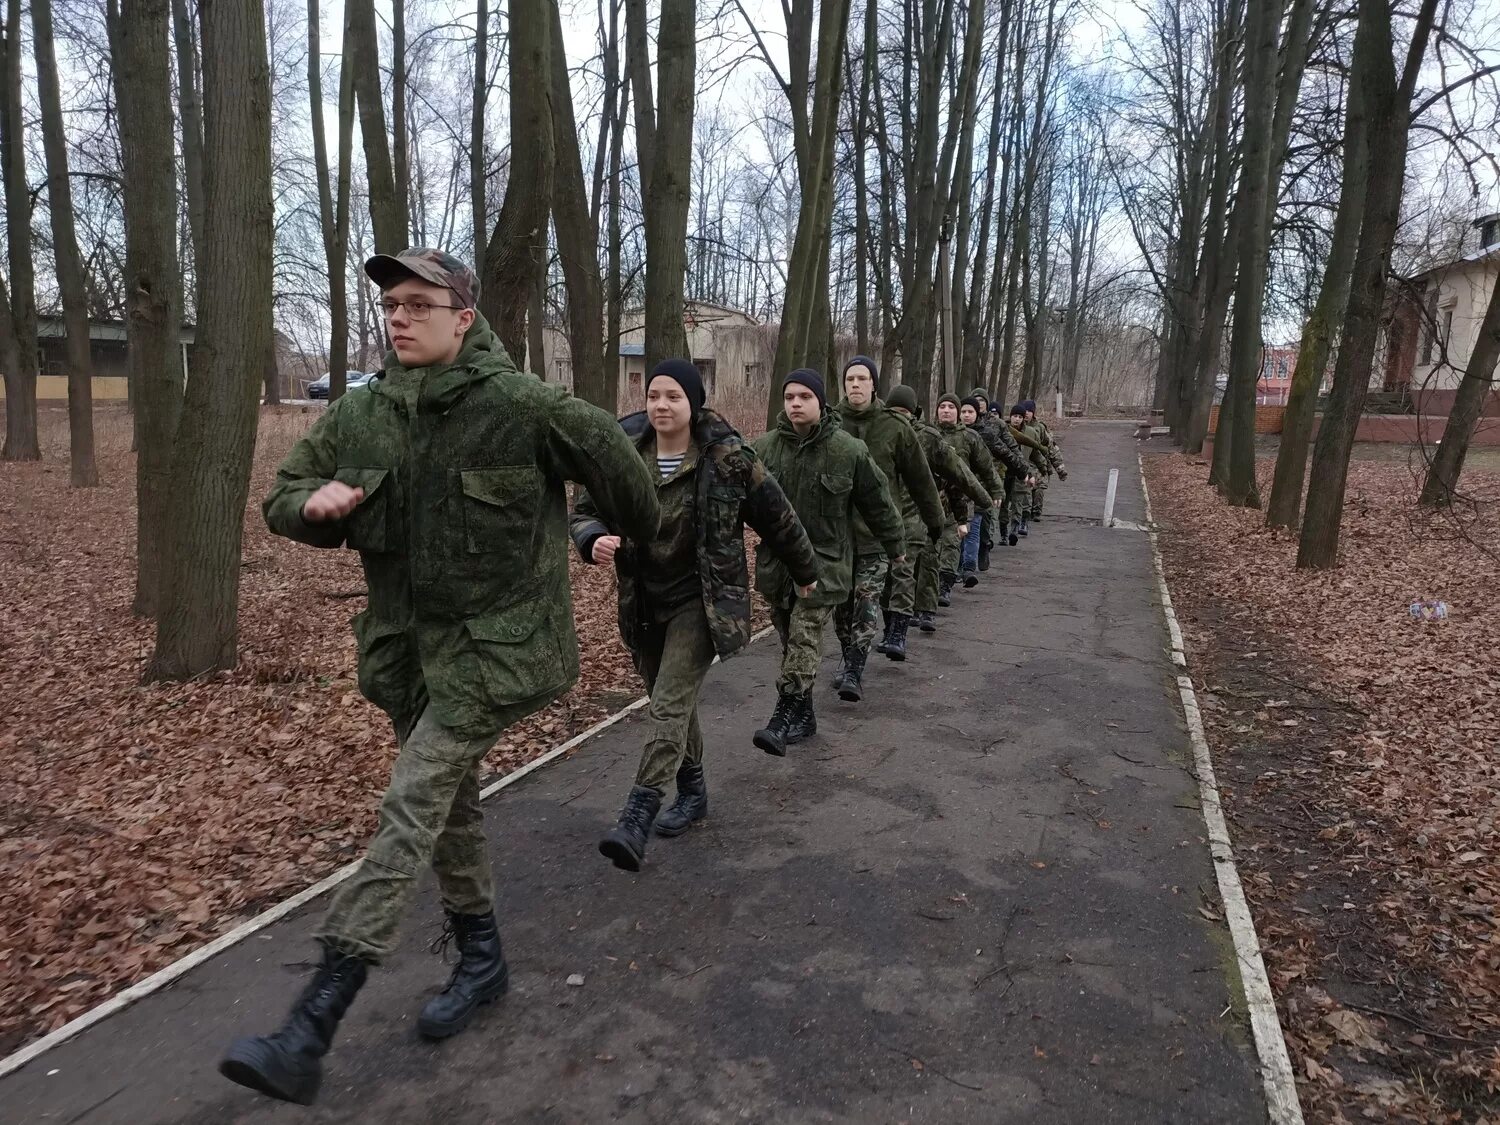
334,197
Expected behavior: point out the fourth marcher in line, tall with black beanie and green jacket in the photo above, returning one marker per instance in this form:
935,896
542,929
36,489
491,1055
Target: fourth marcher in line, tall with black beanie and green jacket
899,454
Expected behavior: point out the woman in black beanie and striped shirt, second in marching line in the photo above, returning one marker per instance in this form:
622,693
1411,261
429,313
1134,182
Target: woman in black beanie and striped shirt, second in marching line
685,596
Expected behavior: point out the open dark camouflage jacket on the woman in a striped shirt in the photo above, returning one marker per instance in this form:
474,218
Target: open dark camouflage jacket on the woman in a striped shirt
731,488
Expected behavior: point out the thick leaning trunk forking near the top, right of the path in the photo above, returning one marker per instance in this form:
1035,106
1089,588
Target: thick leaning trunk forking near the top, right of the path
1390,104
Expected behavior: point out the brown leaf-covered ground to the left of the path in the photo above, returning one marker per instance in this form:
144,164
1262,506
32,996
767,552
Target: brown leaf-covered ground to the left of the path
139,823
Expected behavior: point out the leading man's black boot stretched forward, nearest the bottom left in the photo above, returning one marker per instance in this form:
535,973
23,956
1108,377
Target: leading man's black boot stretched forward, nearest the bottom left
289,1064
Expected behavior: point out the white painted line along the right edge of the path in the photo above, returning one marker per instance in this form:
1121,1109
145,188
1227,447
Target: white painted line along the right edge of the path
1276,1066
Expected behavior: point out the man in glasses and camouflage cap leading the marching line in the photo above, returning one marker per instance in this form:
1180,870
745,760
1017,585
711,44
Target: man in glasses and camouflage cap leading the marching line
448,475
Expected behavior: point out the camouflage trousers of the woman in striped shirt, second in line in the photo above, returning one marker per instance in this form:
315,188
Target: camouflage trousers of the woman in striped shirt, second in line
676,655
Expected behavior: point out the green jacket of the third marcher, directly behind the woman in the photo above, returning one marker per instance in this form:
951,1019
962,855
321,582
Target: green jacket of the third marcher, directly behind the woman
832,481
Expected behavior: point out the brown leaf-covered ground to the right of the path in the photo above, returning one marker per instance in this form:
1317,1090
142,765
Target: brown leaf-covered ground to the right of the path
1360,754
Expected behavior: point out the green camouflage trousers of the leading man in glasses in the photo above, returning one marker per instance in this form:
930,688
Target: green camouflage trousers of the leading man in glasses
430,815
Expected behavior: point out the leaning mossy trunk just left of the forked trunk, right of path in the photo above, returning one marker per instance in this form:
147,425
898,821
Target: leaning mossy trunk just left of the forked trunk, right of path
1318,335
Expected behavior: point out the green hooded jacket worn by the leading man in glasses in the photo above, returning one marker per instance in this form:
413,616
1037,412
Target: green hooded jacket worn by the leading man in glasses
463,532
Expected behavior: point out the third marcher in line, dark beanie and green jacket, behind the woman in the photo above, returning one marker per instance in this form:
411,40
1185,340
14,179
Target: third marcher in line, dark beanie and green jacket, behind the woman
832,481
